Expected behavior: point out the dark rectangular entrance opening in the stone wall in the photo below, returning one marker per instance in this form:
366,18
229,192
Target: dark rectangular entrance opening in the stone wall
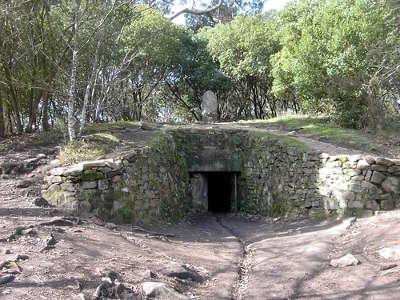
222,192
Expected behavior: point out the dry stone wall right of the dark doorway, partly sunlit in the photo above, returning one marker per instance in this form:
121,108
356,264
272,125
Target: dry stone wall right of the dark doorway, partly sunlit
279,180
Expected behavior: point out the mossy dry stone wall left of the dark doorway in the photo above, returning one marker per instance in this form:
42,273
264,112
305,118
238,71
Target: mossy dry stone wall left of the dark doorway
145,185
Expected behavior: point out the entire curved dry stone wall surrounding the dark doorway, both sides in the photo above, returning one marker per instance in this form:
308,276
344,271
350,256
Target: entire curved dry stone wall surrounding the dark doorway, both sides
276,177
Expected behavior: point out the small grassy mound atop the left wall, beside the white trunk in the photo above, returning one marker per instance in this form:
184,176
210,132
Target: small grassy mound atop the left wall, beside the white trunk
89,147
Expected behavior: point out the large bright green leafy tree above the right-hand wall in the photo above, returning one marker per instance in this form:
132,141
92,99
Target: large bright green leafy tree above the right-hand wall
331,50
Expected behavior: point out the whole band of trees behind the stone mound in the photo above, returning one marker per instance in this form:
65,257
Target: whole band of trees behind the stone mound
69,63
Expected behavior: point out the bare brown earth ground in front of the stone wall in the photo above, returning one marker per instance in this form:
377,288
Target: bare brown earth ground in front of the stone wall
238,257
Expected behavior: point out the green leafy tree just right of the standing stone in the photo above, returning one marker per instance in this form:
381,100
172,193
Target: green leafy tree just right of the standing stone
243,49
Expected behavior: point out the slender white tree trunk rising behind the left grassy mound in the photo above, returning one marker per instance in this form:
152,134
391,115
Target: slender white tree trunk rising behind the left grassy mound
74,65
